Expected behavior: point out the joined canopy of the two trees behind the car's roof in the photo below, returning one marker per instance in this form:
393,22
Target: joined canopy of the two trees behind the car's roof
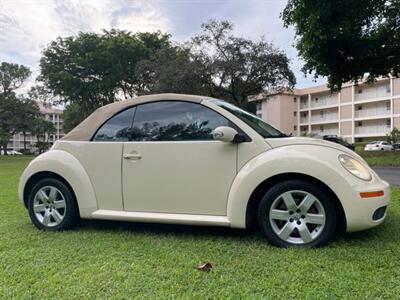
90,70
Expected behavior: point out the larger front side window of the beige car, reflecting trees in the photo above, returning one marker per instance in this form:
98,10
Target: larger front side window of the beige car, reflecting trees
175,121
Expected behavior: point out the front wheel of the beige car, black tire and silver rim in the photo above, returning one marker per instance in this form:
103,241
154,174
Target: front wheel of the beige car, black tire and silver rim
285,223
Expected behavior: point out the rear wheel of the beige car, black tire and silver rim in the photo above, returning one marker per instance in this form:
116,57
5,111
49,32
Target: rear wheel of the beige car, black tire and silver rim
52,205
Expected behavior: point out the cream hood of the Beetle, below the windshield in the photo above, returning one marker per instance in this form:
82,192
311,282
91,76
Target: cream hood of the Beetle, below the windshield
289,141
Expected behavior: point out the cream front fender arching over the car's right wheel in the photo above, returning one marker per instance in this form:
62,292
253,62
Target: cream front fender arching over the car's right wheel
316,161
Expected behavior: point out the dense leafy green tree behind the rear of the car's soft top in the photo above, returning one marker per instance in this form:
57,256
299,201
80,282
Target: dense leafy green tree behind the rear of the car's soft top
91,70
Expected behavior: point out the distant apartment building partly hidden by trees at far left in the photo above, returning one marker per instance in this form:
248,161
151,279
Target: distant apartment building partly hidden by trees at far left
50,113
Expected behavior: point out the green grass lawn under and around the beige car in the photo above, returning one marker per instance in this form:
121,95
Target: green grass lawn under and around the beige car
120,260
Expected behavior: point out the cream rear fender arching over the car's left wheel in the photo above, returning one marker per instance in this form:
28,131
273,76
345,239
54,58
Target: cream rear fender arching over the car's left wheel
68,167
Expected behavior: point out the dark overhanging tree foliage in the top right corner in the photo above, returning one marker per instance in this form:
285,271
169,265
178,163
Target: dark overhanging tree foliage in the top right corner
344,40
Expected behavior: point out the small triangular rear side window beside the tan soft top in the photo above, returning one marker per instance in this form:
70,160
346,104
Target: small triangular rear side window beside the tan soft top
116,129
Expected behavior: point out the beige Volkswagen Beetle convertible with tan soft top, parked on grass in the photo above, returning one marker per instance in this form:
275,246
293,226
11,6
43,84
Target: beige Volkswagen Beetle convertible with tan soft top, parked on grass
184,159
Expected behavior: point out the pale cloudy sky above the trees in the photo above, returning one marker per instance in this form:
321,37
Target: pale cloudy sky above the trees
27,26
